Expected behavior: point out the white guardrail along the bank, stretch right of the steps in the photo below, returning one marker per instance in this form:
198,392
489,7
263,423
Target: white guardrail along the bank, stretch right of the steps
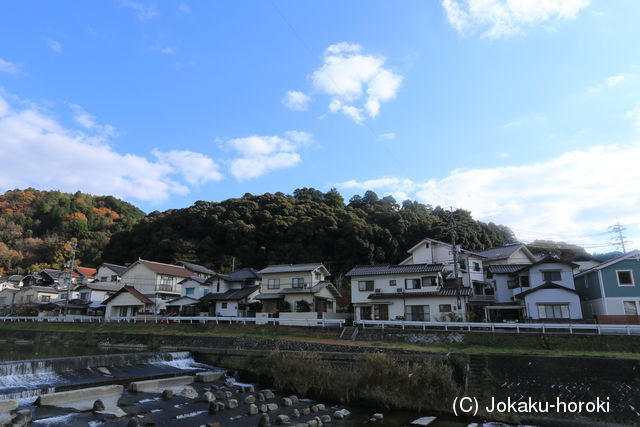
517,328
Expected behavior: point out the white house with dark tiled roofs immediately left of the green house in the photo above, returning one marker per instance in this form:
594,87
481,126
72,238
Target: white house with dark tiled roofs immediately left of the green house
530,288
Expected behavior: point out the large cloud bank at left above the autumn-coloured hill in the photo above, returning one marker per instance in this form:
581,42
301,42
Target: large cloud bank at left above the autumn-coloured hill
55,157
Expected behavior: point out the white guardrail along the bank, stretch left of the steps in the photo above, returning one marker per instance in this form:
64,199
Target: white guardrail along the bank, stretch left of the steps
190,320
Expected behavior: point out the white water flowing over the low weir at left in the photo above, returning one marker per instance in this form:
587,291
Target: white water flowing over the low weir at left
25,380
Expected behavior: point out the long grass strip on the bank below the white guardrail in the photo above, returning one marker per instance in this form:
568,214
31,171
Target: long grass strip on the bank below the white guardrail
627,347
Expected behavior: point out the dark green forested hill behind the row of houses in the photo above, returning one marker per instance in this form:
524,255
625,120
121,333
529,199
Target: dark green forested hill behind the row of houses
307,226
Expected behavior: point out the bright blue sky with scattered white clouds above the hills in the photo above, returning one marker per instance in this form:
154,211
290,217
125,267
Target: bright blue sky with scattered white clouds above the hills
524,112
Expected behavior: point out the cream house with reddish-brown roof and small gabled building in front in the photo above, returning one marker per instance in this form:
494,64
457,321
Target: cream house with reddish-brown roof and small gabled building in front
156,281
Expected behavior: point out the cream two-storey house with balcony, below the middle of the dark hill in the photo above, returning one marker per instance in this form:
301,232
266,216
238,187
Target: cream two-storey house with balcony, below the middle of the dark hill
297,288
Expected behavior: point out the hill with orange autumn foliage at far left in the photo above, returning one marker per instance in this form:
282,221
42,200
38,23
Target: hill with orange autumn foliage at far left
34,224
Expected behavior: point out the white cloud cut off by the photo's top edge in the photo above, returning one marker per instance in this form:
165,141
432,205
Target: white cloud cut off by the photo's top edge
497,18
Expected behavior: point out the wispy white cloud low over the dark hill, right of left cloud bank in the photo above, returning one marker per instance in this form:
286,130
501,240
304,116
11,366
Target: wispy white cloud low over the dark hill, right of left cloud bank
260,155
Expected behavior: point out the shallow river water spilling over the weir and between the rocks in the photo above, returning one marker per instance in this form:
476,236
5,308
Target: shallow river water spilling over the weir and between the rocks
26,380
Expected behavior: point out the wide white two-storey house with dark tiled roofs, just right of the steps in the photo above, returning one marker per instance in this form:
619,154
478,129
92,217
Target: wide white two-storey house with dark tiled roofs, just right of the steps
412,292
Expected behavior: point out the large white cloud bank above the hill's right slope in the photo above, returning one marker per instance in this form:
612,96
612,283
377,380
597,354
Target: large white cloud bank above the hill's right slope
578,192
